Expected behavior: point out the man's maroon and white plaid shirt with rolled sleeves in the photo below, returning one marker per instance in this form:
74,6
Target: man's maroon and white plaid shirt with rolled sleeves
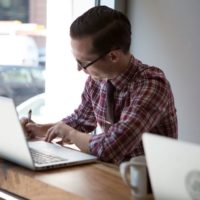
143,103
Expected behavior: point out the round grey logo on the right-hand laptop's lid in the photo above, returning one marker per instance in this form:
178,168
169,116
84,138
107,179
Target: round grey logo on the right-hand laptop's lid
192,182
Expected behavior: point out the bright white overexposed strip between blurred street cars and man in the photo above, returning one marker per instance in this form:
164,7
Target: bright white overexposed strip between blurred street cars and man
64,83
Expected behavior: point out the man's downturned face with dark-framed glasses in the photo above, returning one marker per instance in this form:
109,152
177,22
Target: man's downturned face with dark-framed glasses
97,66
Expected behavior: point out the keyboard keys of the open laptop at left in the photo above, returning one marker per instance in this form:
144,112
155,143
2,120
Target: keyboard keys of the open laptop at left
42,158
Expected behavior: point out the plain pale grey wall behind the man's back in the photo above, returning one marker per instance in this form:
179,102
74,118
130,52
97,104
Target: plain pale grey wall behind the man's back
167,34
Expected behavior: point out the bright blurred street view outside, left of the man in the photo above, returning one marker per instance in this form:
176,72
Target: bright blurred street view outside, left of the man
37,69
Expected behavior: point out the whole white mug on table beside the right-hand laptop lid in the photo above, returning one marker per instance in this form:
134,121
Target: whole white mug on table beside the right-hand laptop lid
135,175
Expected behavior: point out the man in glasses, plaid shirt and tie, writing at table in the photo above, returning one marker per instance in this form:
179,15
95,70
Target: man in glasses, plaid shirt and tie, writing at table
142,100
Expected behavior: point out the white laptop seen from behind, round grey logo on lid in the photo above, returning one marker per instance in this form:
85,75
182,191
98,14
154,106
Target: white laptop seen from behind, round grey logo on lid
174,167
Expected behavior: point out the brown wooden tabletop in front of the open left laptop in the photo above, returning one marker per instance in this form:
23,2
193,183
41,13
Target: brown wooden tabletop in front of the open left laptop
95,181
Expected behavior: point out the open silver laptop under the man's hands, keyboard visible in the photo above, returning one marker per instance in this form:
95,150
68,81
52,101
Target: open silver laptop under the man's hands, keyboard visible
35,155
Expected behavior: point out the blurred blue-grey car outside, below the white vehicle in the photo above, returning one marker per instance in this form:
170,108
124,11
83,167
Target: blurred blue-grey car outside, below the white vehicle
21,83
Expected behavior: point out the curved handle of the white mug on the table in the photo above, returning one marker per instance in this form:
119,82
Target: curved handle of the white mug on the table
124,168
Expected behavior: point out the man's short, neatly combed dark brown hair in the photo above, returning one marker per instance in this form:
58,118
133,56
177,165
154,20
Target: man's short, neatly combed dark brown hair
109,29
